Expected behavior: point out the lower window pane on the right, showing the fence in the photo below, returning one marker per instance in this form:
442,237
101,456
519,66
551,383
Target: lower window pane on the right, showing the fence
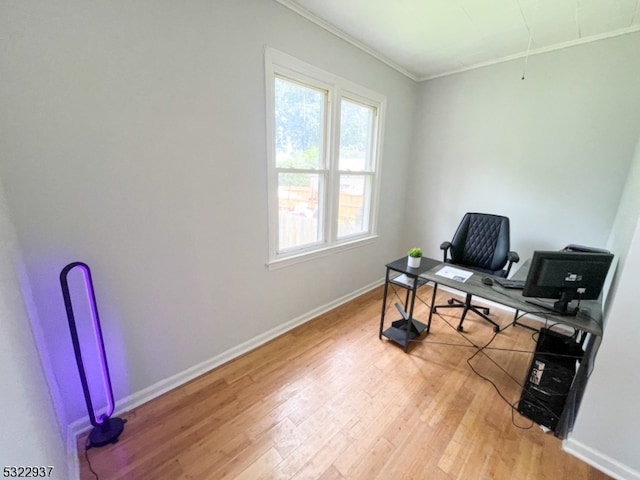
353,205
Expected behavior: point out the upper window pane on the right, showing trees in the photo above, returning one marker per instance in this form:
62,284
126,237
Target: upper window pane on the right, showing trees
356,129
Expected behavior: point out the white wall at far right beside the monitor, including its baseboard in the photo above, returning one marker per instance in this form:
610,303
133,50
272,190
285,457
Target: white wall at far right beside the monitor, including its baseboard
607,426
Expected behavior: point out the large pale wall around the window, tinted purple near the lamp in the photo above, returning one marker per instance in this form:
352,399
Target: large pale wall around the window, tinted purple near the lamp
132,137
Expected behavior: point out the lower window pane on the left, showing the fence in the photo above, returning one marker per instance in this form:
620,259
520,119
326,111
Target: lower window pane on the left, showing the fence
299,217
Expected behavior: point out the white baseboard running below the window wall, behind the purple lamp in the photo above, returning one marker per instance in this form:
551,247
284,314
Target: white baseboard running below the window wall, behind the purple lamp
145,395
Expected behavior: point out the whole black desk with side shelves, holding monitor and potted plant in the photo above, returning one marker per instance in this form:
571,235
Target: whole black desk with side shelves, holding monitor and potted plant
588,322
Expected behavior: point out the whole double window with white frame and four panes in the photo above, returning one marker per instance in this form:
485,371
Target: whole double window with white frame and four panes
324,153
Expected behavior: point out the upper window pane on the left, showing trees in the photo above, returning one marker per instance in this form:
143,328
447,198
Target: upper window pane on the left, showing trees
299,125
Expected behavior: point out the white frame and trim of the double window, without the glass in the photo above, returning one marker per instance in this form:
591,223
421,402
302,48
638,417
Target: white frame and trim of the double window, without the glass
279,64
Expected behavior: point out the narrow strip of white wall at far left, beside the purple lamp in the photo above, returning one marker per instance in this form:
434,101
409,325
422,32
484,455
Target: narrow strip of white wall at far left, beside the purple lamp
31,433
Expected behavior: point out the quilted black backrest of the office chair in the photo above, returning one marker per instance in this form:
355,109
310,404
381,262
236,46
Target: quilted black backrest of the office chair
481,241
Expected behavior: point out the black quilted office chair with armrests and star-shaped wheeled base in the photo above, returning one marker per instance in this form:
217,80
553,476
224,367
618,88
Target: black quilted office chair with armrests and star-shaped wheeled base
481,243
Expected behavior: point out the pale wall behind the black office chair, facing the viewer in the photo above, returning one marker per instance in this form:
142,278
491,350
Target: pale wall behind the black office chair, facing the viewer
551,152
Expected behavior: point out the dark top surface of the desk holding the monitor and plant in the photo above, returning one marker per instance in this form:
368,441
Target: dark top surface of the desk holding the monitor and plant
588,319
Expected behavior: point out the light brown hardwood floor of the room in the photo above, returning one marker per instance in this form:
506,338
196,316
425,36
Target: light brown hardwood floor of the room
329,400
